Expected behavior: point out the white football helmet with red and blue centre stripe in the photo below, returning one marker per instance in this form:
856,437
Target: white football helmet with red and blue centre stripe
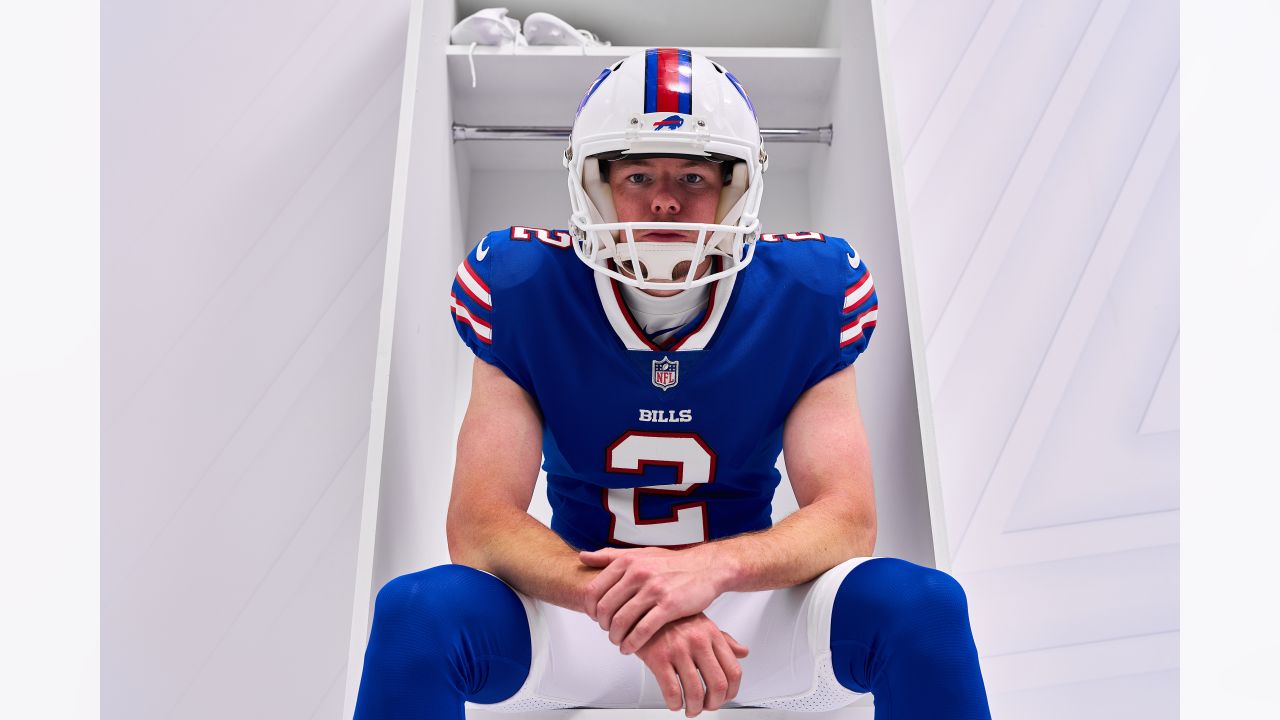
669,103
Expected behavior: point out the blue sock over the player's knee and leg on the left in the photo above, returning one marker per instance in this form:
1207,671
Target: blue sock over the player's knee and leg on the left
442,637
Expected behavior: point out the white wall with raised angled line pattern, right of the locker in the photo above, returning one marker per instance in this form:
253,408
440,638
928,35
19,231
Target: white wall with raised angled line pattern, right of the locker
1041,163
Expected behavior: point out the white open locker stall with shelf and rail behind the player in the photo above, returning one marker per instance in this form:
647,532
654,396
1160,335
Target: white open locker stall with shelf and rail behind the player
807,66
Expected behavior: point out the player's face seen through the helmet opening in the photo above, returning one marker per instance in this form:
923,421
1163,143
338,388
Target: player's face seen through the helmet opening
669,190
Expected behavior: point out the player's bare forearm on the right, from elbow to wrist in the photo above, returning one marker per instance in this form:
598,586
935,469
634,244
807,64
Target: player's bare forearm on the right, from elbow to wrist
803,546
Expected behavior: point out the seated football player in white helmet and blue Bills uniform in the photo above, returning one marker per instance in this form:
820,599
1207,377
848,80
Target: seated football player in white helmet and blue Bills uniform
655,359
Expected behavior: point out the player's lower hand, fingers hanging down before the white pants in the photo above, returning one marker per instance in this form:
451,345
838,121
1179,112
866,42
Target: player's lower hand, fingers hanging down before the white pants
696,655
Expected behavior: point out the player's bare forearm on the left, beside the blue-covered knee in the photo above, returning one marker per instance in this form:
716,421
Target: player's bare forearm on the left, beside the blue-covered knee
513,545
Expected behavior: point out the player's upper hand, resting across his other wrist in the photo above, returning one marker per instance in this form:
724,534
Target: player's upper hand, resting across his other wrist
642,590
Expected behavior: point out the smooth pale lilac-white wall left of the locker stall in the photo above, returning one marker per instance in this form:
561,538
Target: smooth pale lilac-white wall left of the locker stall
248,154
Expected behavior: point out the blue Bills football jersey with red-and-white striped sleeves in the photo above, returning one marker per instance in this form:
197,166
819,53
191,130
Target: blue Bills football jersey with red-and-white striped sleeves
670,446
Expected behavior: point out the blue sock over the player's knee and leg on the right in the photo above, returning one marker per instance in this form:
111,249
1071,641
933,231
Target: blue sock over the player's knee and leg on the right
902,632
